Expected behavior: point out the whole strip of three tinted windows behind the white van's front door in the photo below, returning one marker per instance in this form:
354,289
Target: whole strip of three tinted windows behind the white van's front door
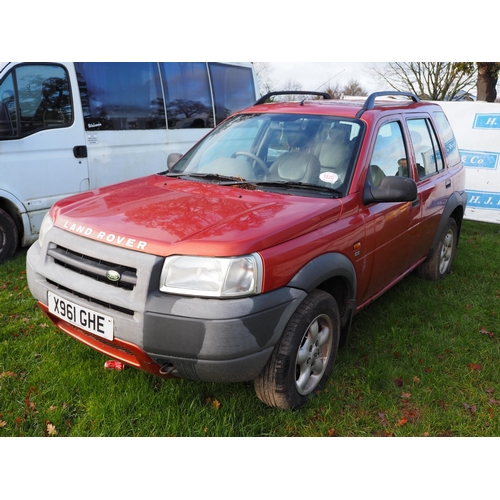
149,95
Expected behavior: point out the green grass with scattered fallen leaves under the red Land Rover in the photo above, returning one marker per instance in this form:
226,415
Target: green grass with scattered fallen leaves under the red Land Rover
423,360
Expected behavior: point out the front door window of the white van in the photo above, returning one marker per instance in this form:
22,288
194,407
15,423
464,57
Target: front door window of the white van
38,97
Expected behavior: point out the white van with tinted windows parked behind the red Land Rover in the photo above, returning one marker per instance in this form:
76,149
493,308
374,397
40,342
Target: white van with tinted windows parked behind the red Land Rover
69,127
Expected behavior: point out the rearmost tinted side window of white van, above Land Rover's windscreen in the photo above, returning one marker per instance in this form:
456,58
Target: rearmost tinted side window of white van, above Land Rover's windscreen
233,88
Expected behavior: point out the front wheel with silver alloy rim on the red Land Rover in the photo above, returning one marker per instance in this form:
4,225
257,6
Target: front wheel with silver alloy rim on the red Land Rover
304,357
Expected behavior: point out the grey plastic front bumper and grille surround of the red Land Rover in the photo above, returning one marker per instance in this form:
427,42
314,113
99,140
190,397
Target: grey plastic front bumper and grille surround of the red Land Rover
201,339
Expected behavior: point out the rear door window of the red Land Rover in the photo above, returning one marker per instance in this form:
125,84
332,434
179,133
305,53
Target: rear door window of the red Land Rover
425,147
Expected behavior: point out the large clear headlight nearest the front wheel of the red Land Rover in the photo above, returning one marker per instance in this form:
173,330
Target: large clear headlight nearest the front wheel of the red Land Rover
212,276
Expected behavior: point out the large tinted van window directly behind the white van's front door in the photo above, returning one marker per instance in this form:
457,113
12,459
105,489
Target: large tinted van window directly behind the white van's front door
121,95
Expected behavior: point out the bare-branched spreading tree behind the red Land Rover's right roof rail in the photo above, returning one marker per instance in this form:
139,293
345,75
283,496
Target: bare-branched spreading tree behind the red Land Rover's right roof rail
436,81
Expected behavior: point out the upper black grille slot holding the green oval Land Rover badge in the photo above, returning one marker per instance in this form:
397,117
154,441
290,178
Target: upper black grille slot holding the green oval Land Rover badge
94,268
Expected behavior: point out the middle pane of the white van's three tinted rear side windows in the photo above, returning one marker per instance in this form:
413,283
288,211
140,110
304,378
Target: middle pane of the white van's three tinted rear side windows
187,94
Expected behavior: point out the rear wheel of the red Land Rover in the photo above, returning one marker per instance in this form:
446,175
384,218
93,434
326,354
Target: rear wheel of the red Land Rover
439,265
